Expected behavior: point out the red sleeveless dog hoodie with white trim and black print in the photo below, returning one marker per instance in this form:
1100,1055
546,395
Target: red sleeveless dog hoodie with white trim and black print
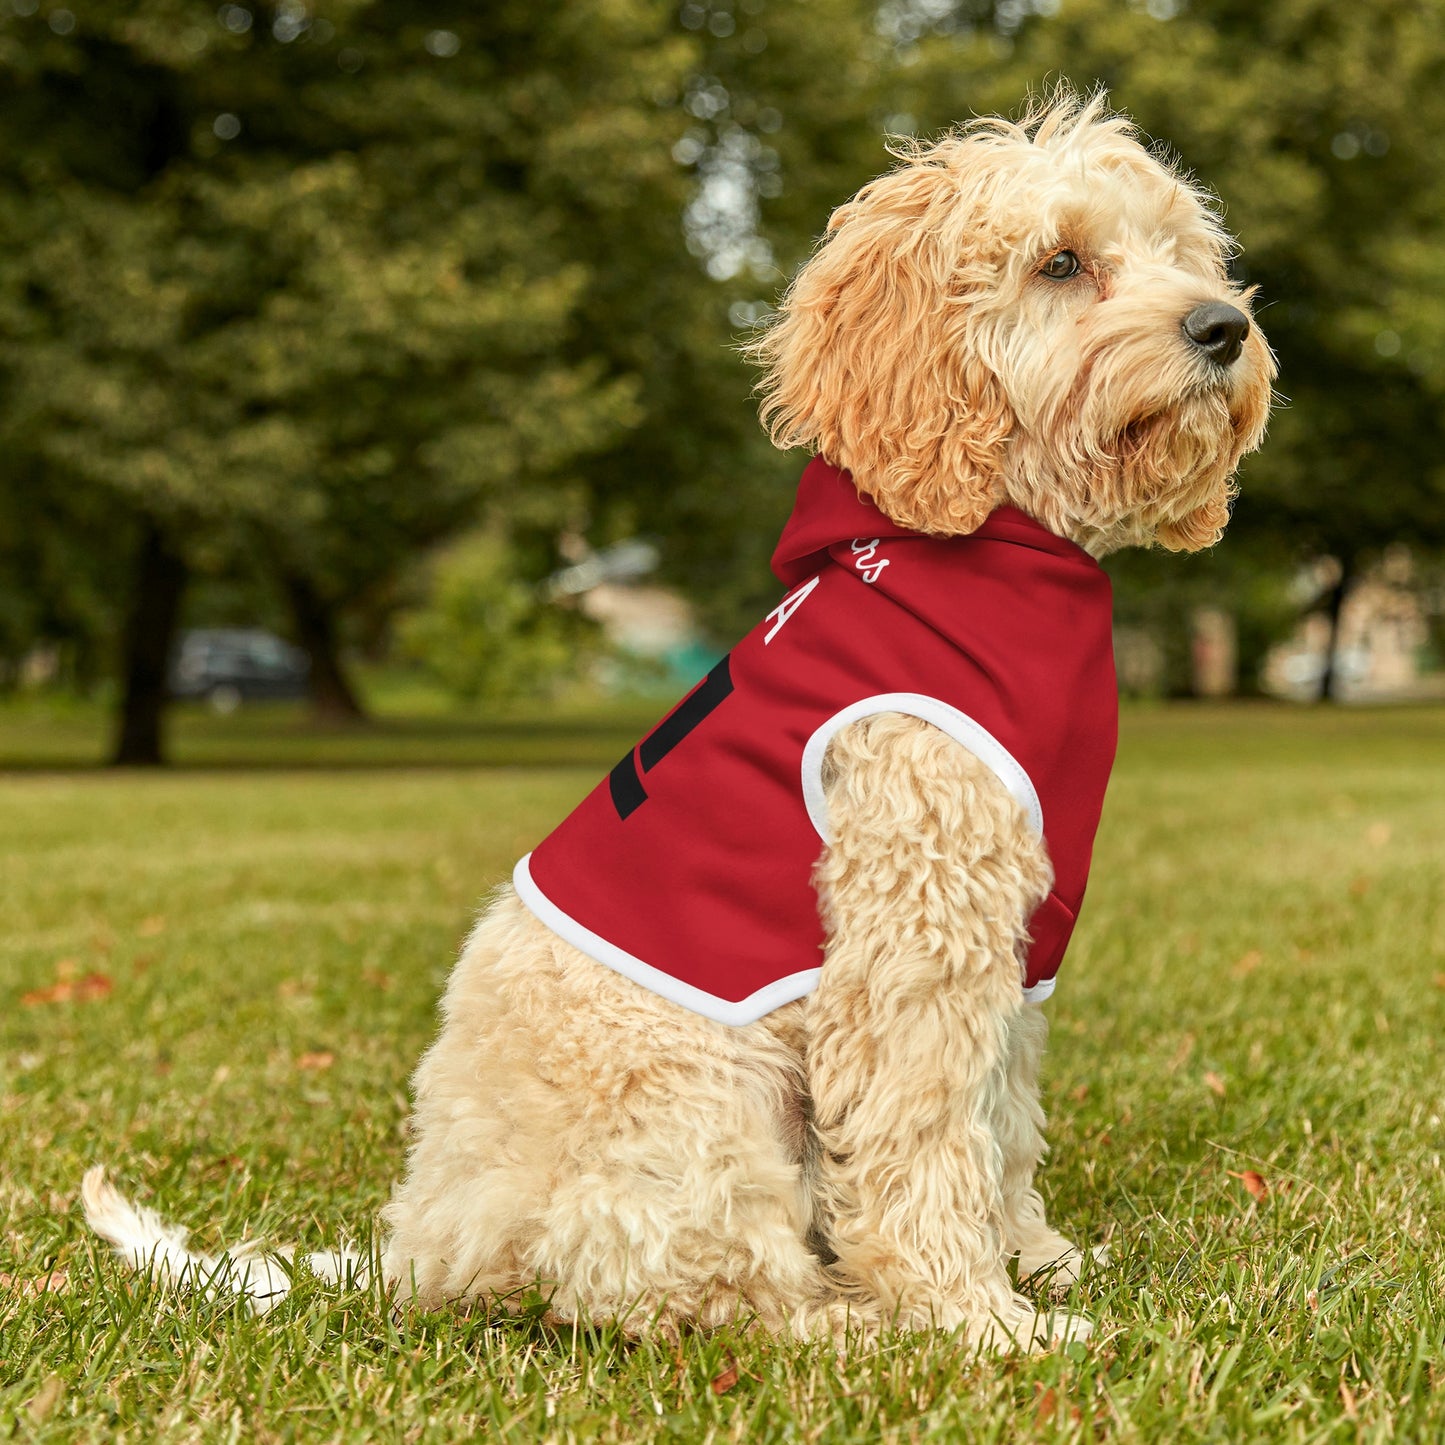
709,879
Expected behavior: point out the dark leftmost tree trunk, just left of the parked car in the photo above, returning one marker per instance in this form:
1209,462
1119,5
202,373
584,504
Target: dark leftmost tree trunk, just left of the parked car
151,628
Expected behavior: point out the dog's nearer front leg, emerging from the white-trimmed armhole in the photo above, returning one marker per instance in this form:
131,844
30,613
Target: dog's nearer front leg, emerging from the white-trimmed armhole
927,888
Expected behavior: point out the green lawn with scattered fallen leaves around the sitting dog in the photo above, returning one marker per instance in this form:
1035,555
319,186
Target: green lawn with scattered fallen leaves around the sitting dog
219,979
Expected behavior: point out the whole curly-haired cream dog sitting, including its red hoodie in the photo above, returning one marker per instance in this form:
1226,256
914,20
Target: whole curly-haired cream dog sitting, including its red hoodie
1018,350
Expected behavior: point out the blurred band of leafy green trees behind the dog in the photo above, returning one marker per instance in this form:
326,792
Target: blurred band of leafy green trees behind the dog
294,296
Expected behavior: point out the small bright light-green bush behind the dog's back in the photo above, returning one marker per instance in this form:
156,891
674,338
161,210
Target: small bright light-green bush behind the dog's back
485,634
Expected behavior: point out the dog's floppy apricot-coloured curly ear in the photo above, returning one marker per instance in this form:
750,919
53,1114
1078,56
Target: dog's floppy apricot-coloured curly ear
872,361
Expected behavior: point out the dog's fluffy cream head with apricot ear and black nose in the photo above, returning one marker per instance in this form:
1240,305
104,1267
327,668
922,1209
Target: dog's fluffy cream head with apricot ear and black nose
1034,313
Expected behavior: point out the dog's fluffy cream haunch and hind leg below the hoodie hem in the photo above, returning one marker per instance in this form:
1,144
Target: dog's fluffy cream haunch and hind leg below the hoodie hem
580,1136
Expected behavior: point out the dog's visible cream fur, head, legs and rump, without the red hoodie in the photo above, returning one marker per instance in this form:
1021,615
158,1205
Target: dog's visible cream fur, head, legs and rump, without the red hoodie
1034,314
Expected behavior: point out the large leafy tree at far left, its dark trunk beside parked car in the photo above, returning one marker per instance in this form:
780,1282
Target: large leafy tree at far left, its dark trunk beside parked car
304,287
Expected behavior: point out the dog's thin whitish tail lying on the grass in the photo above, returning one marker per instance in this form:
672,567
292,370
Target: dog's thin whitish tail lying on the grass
145,1242
